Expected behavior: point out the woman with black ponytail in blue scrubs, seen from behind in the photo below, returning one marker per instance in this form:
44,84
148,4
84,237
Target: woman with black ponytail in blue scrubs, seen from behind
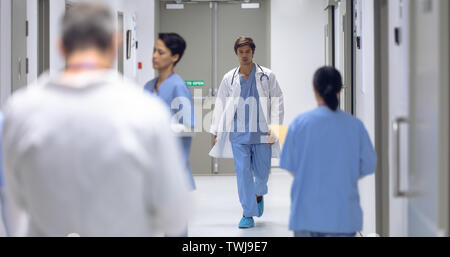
327,151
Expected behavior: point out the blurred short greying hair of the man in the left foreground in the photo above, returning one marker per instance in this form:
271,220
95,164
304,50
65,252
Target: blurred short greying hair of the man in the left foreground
87,25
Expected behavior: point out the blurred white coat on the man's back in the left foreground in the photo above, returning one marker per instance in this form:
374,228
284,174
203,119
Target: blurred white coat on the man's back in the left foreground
94,156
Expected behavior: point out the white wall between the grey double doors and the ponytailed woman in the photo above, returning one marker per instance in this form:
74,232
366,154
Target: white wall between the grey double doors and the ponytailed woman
298,50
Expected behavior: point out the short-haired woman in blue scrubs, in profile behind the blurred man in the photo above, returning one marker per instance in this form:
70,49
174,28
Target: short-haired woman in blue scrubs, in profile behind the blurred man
172,89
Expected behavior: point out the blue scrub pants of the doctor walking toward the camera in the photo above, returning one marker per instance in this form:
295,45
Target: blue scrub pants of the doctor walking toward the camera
252,164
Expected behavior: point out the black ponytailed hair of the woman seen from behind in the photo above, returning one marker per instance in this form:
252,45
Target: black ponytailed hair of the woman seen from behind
328,83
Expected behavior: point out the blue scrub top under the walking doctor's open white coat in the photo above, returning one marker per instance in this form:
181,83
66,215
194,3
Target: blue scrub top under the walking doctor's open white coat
246,132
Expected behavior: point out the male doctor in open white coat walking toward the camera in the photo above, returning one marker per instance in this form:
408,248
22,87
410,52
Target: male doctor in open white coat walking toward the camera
248,101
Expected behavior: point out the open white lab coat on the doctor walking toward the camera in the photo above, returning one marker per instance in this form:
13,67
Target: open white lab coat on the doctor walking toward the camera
272,104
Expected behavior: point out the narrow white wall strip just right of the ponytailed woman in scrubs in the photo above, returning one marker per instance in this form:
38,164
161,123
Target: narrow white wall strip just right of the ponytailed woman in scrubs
365,106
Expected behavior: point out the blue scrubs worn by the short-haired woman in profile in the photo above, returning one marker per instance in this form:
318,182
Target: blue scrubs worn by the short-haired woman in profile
174,87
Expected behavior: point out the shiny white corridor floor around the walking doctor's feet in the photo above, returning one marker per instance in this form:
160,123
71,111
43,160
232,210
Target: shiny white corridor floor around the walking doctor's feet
218,211
